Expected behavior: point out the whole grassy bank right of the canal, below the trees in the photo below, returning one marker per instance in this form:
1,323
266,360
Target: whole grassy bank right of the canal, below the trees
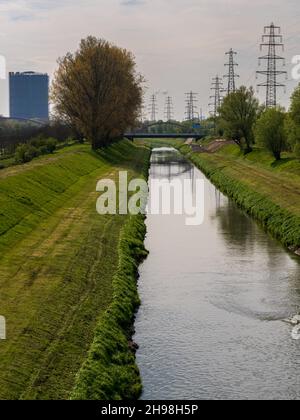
268,191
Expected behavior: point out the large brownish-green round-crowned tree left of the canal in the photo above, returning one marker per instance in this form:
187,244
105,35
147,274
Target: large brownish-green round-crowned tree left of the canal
98,91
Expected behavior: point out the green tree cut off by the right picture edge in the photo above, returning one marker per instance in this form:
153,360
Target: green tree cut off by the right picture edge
292,124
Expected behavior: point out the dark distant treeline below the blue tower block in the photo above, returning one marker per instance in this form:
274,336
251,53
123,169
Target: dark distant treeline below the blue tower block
14,133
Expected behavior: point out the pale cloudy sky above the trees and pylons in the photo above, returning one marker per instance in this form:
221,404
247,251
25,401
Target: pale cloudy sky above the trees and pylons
179,45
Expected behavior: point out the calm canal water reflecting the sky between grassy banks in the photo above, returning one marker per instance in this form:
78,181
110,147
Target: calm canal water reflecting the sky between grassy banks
214,298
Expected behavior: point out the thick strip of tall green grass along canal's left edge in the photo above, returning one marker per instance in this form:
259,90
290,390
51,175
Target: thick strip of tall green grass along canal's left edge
110,371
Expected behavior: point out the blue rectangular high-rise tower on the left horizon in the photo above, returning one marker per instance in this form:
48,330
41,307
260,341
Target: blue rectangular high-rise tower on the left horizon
29,95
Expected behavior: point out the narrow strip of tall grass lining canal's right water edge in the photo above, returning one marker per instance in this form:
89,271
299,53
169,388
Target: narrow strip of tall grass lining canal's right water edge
281,223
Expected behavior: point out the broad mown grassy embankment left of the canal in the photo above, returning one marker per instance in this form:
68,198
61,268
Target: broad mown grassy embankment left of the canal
62,282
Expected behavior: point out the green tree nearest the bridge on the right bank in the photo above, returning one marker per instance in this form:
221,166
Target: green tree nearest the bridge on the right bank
237,116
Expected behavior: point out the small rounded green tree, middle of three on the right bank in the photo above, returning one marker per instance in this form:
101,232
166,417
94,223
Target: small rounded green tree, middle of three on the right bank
270,131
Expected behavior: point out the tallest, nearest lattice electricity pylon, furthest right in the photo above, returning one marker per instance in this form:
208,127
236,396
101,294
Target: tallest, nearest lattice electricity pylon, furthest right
271,40
